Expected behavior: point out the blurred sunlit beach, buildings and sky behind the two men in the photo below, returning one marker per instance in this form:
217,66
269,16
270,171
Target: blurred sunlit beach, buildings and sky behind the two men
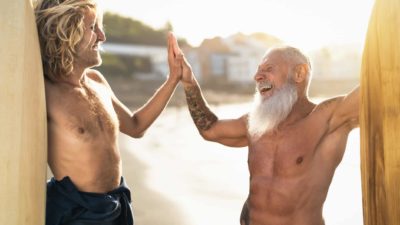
175,176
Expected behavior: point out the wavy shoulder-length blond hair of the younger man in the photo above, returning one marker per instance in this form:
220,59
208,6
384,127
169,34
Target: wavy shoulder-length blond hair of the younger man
61,27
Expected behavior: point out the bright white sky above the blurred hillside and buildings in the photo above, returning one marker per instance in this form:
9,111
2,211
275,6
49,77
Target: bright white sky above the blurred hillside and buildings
306,24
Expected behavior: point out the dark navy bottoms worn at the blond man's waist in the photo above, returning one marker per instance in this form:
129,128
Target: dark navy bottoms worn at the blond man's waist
67,206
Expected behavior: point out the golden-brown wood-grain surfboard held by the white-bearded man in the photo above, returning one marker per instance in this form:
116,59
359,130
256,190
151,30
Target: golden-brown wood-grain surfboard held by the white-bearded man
380,116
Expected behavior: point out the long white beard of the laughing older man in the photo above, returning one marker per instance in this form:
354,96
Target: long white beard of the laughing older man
267,114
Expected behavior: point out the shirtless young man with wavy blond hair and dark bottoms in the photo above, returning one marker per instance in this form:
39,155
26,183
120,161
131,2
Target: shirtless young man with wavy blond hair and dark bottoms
84,116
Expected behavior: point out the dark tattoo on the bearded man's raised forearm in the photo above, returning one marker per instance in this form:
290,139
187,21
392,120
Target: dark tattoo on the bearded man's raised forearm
201,114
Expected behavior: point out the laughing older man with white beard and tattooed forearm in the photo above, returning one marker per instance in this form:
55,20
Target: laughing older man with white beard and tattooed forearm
294,145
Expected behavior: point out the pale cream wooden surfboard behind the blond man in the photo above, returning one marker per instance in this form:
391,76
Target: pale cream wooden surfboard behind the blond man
23,131
